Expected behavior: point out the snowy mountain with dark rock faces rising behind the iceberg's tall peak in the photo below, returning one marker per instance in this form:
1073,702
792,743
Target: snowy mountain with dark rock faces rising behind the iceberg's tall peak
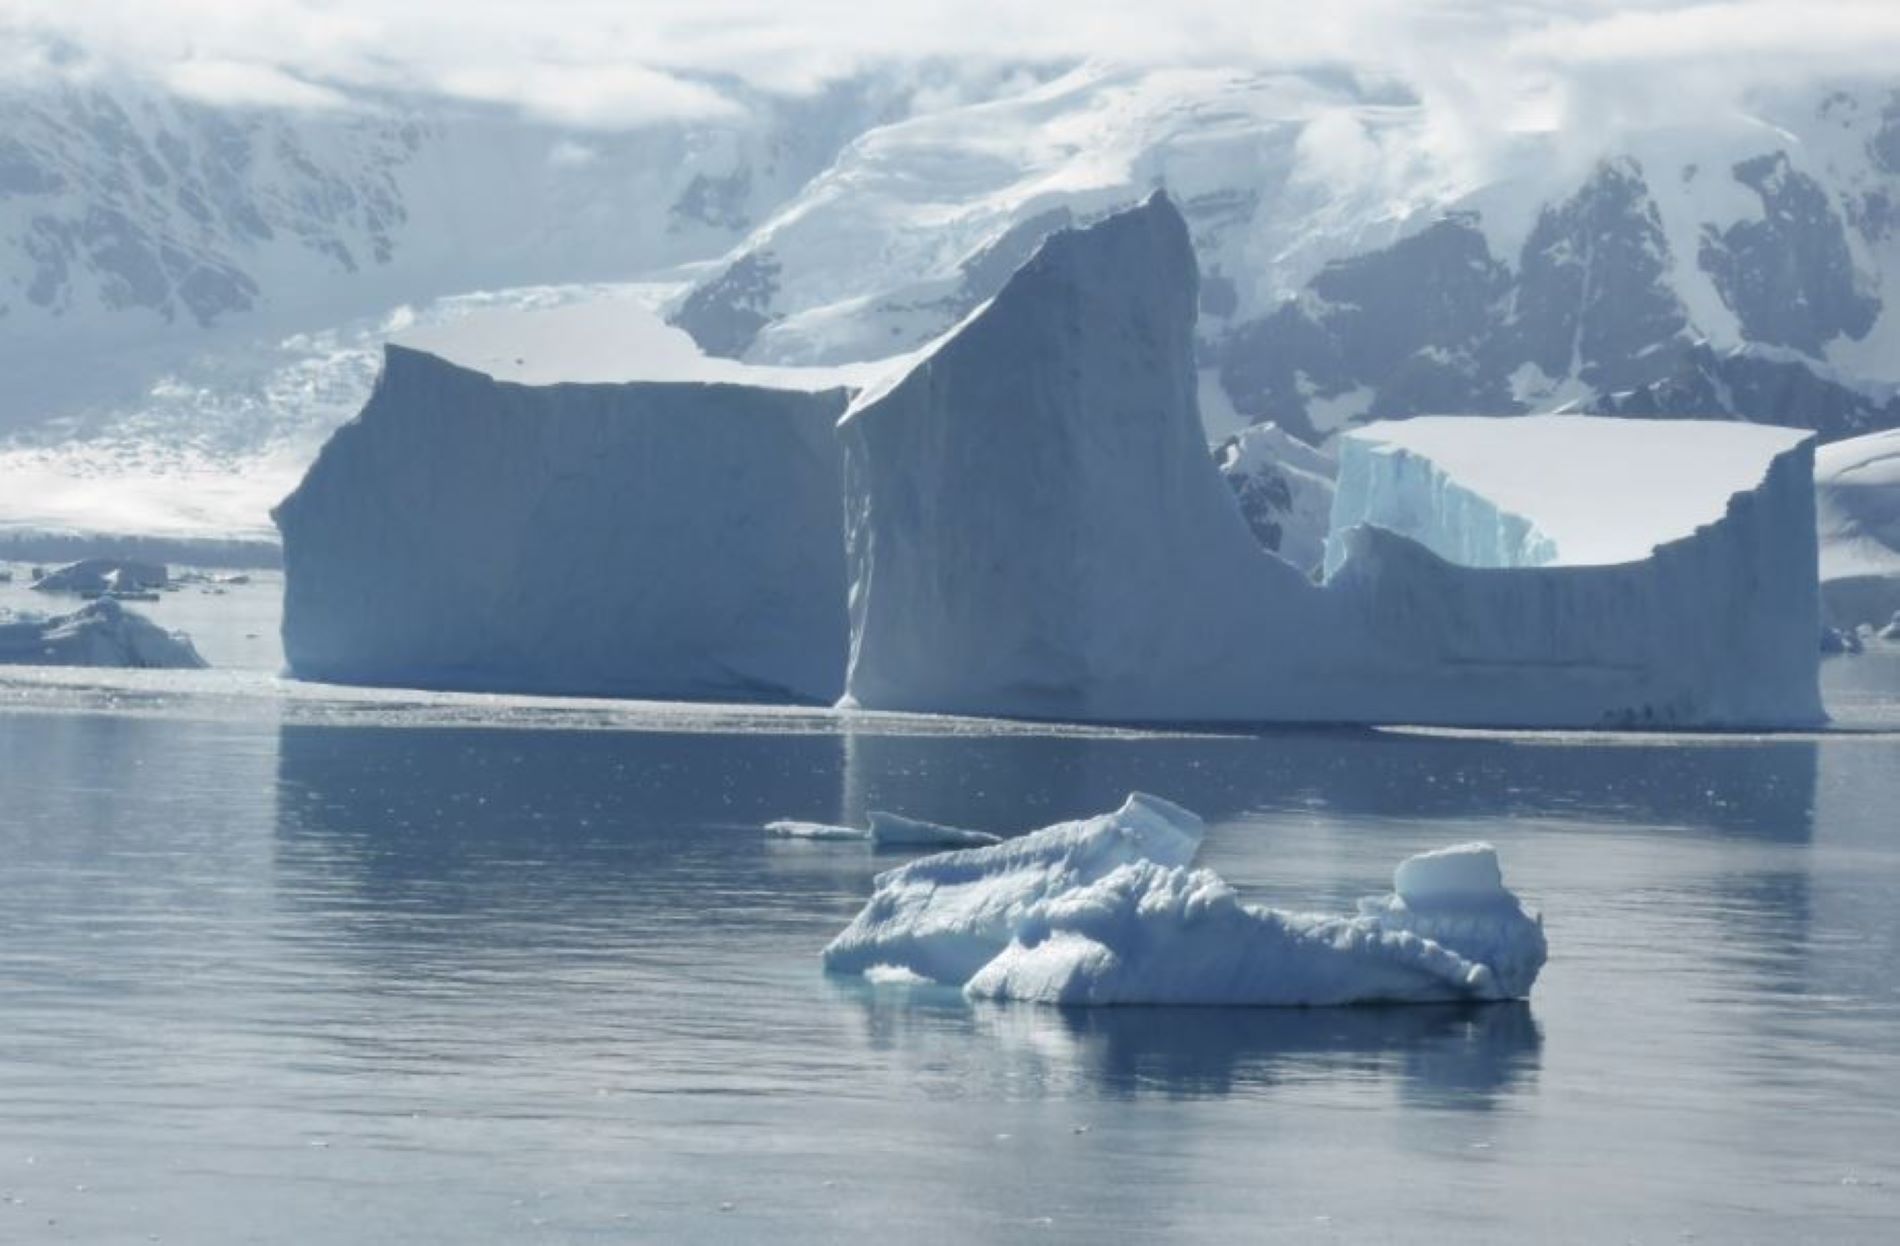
1359,271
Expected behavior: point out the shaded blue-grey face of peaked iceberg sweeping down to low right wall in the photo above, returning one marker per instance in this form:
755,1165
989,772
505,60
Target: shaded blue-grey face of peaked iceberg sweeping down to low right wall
1036,531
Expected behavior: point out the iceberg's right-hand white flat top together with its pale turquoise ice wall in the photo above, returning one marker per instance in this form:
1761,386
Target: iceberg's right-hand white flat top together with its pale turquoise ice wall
1549,491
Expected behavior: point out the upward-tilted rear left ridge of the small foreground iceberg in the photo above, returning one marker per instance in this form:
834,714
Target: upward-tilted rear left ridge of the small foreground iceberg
945,916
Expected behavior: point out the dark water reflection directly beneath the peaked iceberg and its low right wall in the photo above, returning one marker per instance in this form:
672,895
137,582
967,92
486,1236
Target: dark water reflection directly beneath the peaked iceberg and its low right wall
1745,787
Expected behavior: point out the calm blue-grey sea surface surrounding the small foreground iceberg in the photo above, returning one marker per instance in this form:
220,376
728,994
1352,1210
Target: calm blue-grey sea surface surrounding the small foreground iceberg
286,964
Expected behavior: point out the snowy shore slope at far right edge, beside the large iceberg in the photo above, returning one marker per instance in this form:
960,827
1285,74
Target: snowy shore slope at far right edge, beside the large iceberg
1857,500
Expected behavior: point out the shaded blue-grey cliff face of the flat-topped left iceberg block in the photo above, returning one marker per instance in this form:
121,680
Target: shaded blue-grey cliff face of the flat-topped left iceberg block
668,540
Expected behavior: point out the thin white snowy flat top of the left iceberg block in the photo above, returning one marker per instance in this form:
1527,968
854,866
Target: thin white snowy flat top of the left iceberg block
605,341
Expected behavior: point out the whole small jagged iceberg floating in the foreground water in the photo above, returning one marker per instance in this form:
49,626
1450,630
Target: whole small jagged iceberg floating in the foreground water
1111,911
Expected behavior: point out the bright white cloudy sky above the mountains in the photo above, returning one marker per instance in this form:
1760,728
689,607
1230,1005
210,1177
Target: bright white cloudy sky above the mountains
626,64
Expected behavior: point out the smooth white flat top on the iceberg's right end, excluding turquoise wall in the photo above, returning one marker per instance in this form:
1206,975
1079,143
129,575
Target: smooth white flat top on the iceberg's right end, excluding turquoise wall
1603,491
